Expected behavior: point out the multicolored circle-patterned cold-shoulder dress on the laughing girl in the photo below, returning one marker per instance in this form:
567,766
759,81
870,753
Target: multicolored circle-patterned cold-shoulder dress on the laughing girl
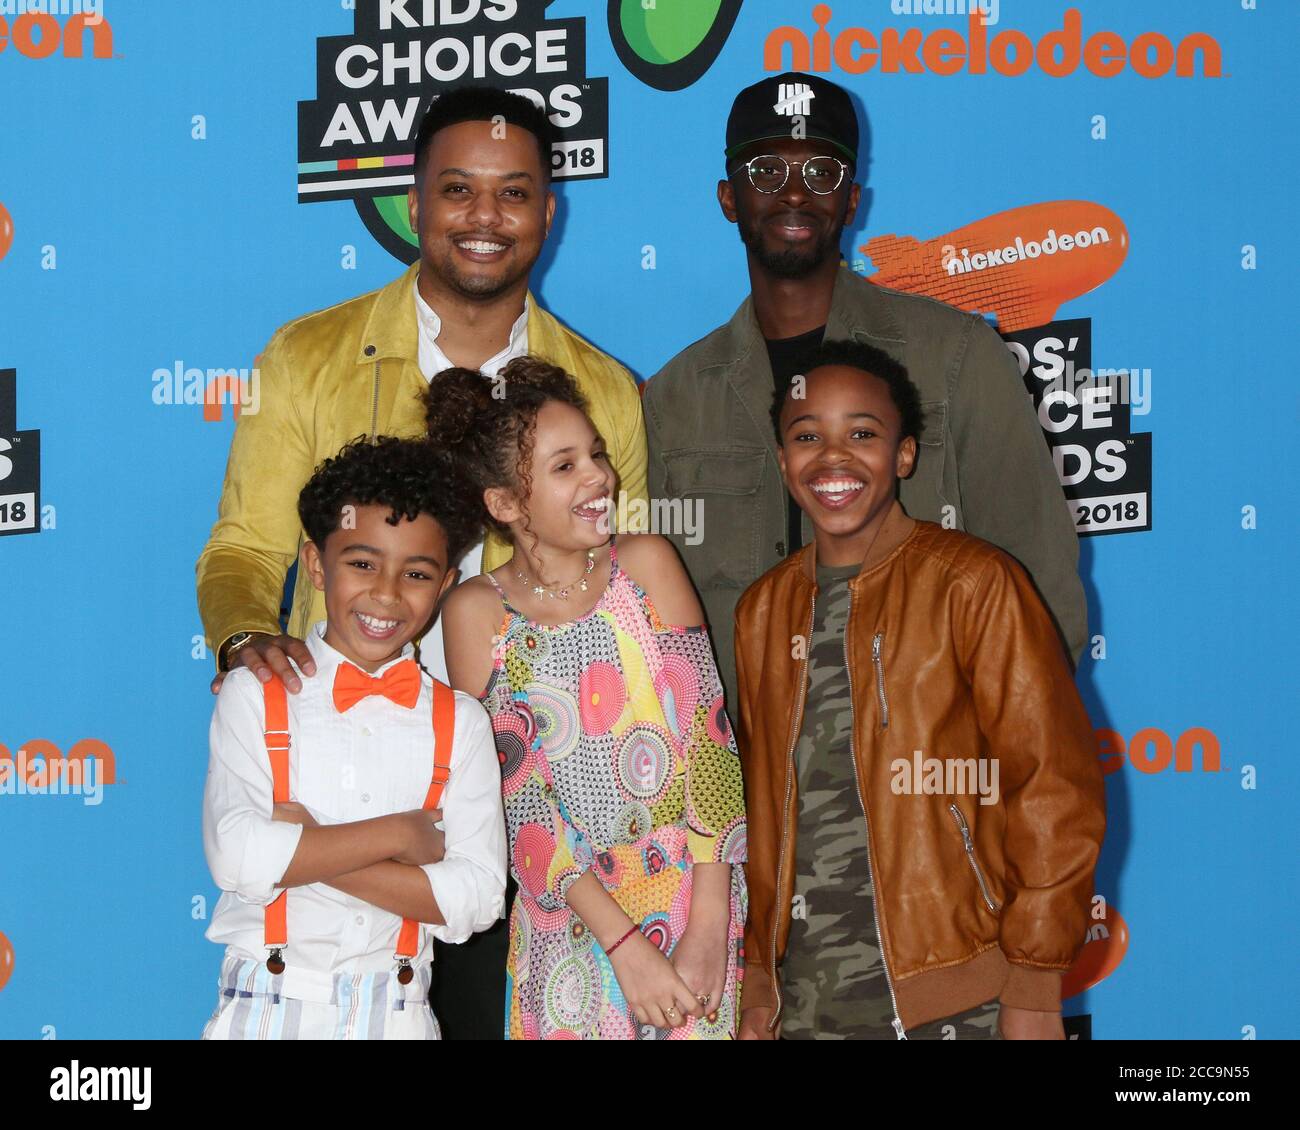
617,759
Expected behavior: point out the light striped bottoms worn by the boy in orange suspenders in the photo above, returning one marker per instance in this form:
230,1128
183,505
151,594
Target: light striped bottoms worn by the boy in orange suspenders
362,1007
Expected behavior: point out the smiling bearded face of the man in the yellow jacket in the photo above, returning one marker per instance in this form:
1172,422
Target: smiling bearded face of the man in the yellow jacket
483,210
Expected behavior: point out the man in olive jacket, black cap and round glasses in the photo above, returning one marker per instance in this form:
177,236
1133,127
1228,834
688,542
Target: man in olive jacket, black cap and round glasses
983,465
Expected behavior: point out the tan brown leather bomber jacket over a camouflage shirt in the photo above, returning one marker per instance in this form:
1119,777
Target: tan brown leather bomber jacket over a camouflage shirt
951,653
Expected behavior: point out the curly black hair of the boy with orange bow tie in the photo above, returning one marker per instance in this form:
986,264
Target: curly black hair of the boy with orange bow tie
409,477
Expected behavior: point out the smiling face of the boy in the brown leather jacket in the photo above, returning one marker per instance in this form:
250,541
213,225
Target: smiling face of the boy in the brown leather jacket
842,457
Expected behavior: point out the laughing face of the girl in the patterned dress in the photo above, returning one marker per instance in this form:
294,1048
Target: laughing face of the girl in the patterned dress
573,486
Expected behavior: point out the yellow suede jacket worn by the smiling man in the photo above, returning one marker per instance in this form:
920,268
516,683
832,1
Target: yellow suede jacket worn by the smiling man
327,379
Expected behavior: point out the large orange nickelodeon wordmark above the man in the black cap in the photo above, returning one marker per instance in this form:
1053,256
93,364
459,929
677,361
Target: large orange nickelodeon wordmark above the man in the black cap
1012,53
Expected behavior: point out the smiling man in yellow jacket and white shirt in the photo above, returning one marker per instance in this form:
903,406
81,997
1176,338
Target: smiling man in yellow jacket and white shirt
483,207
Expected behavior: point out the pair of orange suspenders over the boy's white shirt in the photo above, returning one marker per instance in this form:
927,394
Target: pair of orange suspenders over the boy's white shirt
276,735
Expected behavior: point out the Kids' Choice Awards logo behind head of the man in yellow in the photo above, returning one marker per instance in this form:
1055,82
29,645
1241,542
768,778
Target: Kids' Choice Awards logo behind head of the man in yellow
374,86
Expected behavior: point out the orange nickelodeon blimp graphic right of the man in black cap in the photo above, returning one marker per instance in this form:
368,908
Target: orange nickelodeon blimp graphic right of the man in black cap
1020,266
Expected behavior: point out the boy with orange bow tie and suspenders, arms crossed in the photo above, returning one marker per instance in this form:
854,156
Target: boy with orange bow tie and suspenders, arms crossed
352,824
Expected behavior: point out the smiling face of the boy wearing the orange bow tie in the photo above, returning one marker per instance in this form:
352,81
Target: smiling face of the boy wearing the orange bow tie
382,583
